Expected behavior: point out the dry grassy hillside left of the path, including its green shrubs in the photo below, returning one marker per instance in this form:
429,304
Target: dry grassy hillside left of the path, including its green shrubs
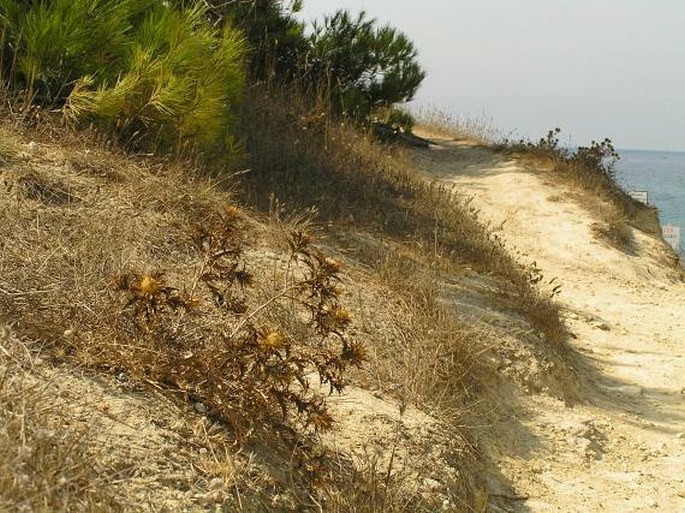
220,296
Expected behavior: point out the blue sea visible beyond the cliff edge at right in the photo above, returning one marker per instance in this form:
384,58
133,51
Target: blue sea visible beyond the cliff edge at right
662,175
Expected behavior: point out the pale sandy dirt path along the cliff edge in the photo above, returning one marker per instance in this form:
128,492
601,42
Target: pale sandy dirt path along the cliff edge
623,448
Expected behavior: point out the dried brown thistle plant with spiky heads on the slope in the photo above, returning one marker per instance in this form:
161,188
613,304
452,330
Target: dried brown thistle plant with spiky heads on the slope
255,373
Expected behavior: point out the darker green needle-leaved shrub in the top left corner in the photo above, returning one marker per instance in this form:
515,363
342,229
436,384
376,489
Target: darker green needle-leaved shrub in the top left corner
49,45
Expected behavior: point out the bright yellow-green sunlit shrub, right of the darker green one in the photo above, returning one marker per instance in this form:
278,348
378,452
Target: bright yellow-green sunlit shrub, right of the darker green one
180,81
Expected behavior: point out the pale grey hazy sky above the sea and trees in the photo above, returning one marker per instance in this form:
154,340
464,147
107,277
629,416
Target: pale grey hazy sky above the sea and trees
594,68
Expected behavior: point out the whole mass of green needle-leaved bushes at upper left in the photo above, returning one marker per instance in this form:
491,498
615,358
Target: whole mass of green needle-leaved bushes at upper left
160,77
